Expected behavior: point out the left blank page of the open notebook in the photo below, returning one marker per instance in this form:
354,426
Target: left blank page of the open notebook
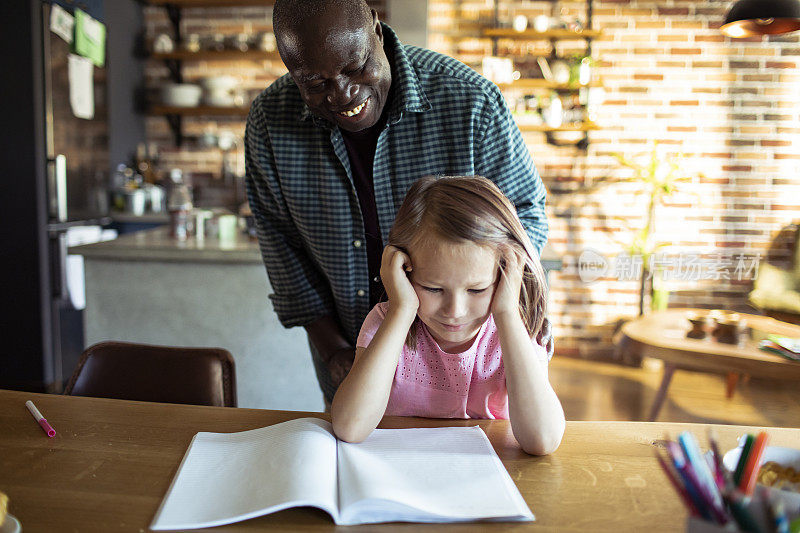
234,476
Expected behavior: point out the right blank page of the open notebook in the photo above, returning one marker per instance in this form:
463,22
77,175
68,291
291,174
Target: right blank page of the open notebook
444,471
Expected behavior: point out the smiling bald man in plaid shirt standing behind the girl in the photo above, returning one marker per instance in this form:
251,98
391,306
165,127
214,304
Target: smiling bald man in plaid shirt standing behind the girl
332,147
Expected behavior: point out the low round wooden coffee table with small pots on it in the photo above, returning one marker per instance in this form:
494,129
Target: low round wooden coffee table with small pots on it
662,335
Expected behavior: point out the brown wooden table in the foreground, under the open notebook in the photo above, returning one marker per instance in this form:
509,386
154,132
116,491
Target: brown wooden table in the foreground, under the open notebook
112,461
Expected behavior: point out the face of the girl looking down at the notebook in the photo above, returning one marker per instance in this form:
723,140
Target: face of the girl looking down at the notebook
455,284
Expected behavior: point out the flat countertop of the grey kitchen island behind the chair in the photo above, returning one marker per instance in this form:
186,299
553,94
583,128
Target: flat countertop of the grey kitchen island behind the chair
157,245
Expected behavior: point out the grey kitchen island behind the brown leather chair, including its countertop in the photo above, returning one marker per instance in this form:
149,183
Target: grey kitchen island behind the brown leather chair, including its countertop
148,288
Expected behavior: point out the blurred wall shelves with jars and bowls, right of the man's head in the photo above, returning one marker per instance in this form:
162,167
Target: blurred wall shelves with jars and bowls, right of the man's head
541,59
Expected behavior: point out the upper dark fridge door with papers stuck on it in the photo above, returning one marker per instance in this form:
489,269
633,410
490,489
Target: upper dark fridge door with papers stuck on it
77,149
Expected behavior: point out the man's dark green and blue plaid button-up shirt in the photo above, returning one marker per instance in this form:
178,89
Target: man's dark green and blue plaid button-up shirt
443,119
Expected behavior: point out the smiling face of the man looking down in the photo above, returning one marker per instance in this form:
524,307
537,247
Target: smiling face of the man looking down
340,67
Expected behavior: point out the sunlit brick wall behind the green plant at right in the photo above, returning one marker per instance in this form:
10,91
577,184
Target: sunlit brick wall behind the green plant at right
731,107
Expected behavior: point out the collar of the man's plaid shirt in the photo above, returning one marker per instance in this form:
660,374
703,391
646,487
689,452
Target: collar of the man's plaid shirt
407,92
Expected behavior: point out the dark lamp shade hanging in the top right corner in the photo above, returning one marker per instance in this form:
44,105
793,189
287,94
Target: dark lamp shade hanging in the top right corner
747,18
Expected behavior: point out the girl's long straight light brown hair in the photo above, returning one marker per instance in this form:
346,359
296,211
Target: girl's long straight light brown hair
471,209
